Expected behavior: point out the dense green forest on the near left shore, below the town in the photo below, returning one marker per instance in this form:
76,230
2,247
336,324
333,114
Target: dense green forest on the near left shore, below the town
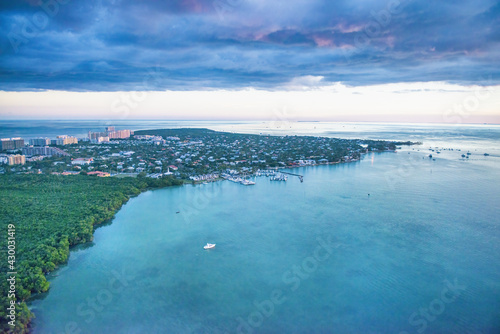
50,214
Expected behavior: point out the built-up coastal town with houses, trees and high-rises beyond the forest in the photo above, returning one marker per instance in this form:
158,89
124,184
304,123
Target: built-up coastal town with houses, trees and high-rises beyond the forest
193,155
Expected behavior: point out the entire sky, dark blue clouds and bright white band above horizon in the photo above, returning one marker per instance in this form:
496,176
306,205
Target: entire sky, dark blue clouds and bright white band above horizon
355,60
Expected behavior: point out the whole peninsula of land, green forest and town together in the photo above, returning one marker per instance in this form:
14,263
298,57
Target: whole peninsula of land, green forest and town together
53,202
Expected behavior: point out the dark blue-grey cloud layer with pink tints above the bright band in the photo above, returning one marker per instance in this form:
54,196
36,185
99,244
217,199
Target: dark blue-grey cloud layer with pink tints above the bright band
195,44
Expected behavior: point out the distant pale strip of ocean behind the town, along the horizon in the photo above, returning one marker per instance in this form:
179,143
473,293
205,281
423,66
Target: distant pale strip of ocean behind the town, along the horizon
462,134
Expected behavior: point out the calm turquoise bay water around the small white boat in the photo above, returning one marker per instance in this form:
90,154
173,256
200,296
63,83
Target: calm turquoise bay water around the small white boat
394,243
